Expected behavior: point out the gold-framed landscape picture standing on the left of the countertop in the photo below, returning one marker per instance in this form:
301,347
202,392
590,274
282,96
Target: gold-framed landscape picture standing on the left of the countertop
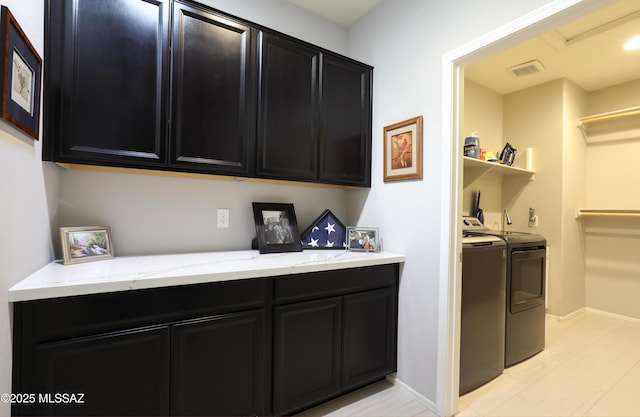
85,244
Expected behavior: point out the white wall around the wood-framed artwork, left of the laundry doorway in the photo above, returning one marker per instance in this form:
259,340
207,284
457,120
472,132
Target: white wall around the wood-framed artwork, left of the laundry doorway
405,41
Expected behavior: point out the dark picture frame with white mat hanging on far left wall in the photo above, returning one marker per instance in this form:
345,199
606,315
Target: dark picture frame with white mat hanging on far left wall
21,77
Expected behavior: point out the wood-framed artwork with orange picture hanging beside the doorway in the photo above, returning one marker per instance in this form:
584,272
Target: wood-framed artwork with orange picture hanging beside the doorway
403,150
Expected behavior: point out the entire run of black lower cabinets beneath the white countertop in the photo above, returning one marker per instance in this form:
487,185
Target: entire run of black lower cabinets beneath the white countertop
261,346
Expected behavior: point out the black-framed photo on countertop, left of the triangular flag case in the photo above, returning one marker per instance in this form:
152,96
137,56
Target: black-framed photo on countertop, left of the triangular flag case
276,227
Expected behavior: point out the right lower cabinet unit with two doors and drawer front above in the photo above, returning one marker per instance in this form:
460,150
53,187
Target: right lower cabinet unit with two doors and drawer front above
327,347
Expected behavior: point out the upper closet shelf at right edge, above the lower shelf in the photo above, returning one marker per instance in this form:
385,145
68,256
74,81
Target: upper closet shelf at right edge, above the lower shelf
616,125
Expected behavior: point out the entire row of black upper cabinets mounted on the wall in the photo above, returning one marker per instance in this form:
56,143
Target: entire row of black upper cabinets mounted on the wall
174,85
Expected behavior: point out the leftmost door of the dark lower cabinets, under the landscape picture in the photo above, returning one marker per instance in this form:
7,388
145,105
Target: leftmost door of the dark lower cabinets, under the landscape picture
123,373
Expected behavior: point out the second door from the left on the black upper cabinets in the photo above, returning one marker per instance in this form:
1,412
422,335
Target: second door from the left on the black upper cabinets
213,94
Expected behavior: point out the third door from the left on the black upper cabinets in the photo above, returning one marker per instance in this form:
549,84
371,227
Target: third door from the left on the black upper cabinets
288,110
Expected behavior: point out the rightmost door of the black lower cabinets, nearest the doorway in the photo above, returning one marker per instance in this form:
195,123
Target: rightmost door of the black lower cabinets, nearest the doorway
369,337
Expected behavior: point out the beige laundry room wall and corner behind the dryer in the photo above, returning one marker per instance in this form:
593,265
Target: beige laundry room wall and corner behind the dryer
543,118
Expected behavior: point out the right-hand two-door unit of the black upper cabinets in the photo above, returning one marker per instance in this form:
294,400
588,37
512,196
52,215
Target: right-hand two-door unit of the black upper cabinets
314,115
